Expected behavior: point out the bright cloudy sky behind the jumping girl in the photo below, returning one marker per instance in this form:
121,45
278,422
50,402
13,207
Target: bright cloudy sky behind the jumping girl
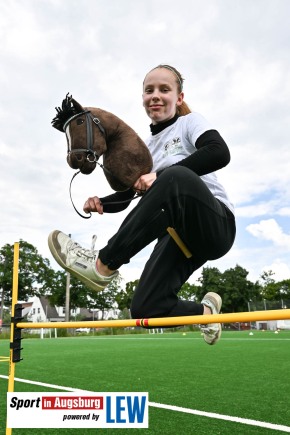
235,57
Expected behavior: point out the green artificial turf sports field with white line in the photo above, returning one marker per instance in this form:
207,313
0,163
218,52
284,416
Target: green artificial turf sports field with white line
241,386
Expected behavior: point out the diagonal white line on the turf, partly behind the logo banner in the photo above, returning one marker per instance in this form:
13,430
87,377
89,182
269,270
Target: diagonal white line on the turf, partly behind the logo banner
247,421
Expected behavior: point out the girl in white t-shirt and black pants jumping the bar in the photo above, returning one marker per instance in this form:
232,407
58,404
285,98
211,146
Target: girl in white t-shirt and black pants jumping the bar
182,192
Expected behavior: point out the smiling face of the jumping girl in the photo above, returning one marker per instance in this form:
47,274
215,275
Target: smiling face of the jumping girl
161,95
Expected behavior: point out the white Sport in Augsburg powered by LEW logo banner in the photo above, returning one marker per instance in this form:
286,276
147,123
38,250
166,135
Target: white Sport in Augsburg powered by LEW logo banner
72,410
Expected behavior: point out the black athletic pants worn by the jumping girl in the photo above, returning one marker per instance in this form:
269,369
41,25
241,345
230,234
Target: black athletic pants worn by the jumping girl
179,199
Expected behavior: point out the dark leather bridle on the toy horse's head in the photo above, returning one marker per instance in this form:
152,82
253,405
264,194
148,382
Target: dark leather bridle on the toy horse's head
92,156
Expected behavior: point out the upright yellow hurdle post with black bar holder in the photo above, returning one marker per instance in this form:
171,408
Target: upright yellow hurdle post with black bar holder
11,376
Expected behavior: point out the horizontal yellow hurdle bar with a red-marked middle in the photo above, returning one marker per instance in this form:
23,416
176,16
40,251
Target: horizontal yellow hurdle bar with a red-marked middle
166,321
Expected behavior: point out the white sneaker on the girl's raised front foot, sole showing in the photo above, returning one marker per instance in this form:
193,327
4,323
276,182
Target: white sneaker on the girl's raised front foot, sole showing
78,261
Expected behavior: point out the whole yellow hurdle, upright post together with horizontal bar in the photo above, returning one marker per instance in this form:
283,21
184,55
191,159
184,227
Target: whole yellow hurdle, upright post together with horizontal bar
18,326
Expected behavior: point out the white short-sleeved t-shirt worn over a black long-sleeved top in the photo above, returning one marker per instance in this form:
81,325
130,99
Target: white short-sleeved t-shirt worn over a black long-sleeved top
177,142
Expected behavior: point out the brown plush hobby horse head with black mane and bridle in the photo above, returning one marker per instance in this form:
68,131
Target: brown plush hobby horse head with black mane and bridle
92,133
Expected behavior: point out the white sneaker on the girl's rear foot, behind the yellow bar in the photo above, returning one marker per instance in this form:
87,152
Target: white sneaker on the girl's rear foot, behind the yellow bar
212,331
